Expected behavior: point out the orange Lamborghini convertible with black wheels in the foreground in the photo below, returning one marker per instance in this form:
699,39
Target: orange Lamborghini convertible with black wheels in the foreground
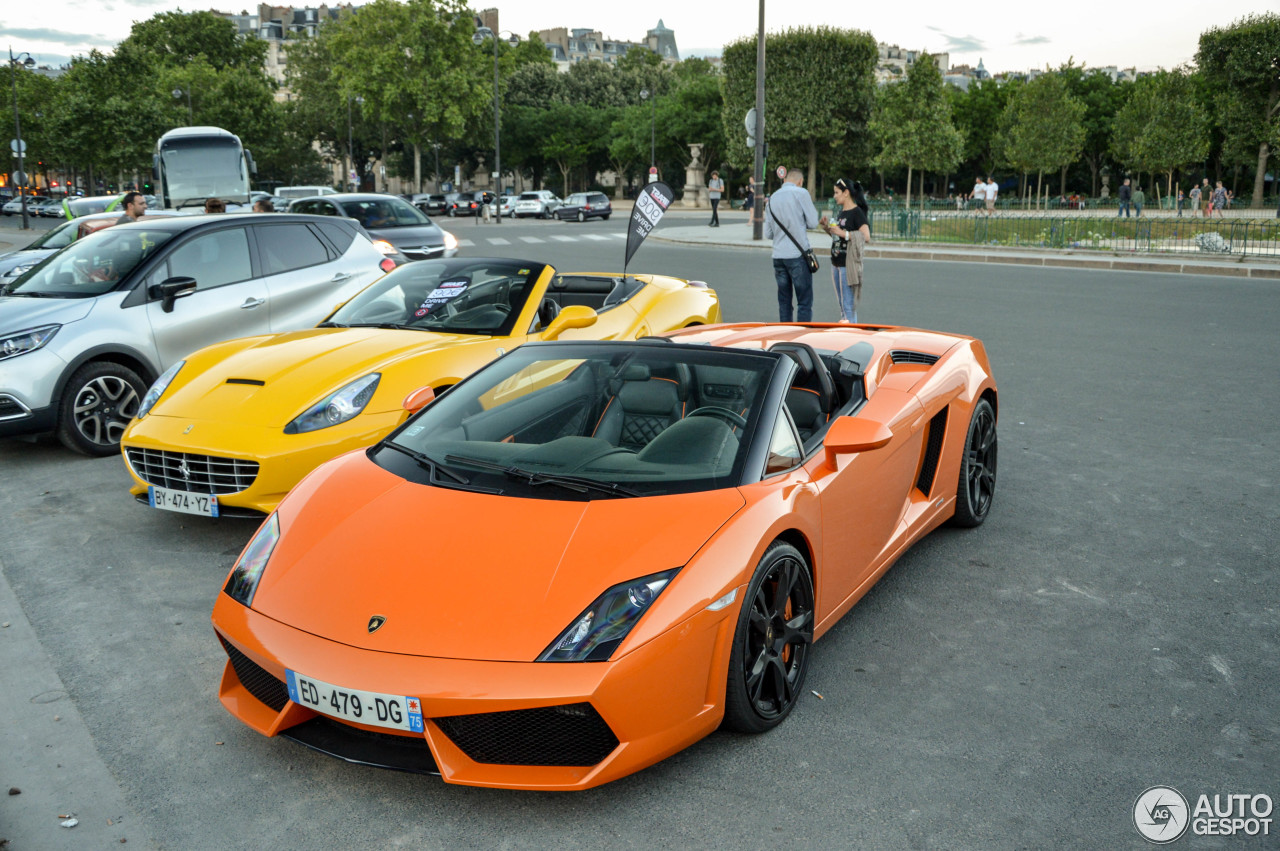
591,555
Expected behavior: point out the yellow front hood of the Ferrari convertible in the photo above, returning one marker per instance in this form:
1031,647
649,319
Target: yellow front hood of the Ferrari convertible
295,370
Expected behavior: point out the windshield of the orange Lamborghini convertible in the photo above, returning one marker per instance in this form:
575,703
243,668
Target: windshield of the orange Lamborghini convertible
584,420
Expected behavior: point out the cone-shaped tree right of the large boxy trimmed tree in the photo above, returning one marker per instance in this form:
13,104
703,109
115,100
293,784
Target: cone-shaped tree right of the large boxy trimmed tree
913,125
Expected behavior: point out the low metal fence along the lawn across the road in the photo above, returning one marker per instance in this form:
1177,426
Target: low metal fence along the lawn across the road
1173,236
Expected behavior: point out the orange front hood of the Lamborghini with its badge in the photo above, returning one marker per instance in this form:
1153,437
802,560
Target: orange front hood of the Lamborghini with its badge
464,575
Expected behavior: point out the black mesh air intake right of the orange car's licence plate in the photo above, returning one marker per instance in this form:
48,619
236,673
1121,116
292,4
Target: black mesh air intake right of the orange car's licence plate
570,735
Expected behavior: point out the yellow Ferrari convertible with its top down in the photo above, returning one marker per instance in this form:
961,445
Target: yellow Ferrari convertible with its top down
231,429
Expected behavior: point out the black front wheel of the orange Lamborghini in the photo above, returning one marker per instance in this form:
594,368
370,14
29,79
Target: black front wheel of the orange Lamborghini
771,644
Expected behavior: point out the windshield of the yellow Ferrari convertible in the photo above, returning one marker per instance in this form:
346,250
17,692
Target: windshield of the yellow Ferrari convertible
451,296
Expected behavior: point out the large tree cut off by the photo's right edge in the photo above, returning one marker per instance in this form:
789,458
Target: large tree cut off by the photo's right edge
1242,62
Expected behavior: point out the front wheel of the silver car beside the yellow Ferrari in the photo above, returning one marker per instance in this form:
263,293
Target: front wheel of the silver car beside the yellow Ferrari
97,408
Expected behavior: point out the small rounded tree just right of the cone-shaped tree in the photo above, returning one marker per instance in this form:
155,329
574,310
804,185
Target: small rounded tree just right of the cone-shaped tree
1043,129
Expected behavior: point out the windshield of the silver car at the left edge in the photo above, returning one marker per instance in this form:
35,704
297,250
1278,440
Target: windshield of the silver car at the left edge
93,266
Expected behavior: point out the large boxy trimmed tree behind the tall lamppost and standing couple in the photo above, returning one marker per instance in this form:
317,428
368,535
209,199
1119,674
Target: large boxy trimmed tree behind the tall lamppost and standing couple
820,88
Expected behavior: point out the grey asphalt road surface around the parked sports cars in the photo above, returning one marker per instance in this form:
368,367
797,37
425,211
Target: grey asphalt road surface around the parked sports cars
1113,626
